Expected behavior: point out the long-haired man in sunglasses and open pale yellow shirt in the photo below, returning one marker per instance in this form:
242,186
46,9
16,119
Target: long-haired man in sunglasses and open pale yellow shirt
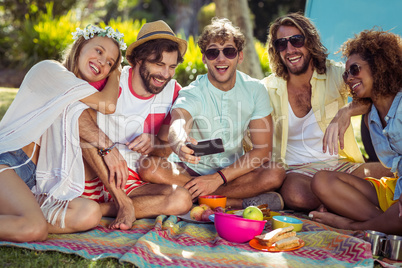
306,91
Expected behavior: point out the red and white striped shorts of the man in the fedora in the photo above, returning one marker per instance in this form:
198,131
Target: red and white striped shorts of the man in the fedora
95,190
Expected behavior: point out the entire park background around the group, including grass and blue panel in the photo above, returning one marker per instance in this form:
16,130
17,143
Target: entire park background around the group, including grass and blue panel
31,31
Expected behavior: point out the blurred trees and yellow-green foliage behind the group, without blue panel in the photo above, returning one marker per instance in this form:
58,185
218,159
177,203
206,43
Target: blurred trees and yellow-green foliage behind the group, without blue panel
31,31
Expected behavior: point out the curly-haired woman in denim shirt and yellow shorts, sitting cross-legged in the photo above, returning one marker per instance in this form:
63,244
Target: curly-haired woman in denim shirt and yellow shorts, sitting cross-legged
373,72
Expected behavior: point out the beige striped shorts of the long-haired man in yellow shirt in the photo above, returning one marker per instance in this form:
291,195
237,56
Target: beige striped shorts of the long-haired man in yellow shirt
309,169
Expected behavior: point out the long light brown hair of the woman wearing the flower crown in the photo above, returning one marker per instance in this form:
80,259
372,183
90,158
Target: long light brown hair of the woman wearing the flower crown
72,55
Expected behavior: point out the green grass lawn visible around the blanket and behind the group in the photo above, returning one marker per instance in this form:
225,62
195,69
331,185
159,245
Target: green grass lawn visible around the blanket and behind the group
18,257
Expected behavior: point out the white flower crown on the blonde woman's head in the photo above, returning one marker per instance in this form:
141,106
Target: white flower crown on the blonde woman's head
91,31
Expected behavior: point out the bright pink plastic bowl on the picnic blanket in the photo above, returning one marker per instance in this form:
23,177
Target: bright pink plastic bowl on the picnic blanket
237,229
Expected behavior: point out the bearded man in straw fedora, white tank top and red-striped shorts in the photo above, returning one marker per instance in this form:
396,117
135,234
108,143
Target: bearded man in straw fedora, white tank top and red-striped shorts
138,127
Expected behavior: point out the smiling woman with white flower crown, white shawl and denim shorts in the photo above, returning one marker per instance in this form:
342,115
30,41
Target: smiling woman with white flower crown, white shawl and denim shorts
41,167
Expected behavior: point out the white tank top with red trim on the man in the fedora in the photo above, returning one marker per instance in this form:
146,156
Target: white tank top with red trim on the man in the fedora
136,115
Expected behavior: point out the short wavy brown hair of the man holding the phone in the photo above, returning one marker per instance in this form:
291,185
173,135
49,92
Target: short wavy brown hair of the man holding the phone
221,30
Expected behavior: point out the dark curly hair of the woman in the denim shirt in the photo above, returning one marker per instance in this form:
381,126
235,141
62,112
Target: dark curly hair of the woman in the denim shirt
383,52
